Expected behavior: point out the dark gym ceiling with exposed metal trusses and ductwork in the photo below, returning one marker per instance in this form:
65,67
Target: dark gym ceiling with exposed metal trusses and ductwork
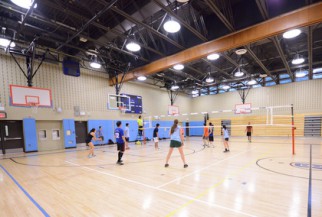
78,28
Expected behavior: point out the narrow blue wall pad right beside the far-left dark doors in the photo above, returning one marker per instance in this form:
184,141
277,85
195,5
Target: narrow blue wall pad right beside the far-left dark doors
30,134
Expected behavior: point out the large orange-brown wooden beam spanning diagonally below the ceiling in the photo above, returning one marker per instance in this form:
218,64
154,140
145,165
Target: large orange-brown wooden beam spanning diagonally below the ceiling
303,17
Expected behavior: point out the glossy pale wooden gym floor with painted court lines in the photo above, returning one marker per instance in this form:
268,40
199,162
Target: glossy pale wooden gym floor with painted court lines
254,179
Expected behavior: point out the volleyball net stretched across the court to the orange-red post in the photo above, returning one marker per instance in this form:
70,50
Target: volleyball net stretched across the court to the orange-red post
266,121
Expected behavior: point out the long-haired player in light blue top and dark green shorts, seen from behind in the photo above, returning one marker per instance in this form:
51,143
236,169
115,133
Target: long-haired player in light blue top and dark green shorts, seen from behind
177,138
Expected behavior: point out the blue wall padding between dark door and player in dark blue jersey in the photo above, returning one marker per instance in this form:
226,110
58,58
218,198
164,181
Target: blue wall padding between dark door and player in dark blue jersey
108,129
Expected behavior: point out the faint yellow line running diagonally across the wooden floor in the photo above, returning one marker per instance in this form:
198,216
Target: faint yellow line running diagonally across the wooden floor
203,193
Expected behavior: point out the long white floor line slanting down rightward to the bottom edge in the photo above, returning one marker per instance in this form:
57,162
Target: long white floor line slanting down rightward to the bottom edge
163,190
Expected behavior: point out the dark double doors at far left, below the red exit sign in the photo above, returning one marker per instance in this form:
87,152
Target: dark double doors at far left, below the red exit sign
11,135
